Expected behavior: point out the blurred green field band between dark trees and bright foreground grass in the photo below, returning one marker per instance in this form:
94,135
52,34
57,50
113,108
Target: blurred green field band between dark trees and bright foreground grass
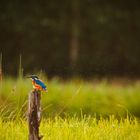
73,97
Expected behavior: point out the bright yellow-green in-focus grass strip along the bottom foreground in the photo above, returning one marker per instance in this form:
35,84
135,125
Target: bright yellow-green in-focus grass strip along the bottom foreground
74,128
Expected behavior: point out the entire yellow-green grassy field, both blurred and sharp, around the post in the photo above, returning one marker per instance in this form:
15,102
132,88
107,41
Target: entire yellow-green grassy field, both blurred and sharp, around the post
73,110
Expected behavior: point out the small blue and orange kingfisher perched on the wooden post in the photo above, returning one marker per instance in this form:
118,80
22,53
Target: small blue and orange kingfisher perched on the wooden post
37,83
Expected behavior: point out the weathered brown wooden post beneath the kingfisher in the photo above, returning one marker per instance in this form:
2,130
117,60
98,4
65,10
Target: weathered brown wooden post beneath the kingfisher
34,115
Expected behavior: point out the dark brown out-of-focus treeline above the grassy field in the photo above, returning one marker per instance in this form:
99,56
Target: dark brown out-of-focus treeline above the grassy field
66,37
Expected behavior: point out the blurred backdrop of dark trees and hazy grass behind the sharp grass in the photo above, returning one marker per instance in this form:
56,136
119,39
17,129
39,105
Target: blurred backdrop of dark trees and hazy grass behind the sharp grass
94,40
